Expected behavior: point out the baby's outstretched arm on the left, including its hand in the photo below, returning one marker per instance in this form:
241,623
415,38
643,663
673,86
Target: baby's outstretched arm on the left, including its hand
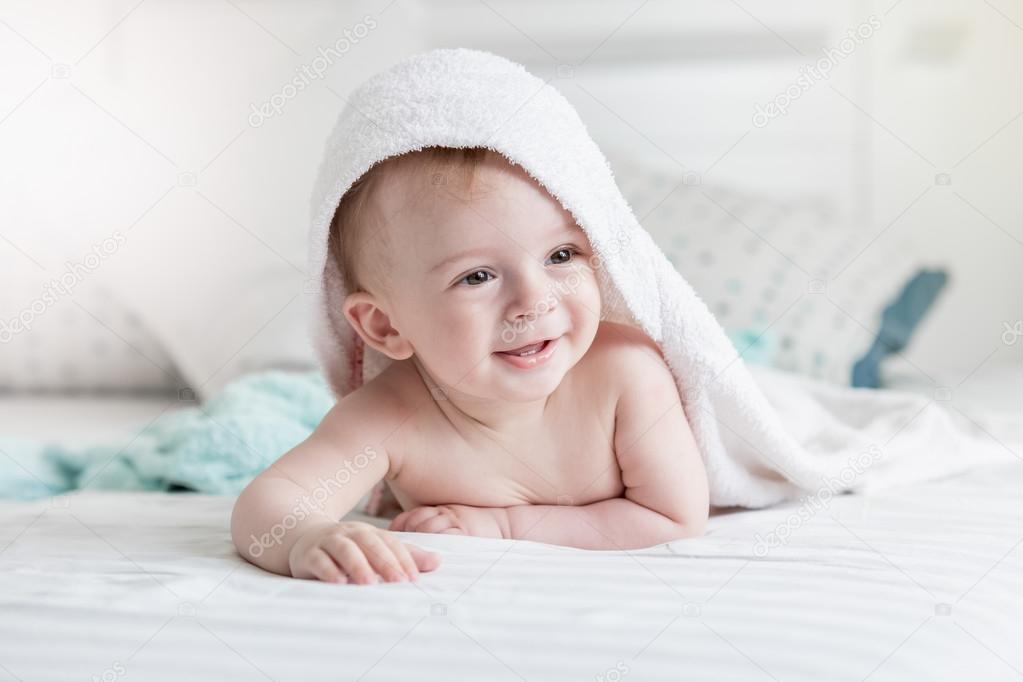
301,498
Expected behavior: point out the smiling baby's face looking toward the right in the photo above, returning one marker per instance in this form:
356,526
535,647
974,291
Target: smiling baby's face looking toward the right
496,271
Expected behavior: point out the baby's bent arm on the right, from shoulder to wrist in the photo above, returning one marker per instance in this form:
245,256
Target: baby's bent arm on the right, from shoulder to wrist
666,494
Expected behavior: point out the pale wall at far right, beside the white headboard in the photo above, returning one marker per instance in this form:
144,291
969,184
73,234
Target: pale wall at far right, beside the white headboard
947,98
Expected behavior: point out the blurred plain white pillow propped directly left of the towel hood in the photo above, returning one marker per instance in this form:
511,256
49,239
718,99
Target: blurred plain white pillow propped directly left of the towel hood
220,301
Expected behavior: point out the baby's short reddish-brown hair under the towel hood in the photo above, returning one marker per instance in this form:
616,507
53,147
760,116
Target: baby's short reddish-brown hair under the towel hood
349,232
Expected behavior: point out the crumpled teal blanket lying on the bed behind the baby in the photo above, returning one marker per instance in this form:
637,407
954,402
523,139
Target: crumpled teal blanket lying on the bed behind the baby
216,448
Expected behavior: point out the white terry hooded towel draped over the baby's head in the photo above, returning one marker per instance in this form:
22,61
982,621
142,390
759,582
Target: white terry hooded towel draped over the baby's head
764,441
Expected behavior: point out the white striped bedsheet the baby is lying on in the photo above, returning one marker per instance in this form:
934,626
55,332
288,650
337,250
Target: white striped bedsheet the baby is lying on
919,583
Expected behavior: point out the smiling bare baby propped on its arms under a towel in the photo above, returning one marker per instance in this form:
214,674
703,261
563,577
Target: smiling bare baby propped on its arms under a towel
510,408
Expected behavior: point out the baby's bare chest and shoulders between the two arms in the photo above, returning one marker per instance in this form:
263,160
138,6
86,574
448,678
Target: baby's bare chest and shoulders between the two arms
569,459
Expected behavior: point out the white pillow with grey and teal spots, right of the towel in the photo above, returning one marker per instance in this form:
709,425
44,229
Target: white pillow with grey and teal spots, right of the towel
794,285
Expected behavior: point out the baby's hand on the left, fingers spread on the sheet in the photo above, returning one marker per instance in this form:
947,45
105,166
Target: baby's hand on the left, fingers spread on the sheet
352,552
